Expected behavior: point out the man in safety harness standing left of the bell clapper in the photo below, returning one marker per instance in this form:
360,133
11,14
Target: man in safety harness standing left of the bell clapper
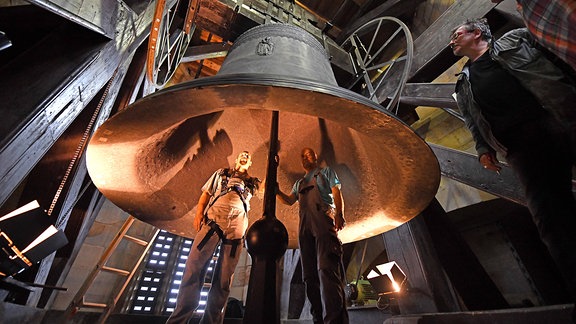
221,217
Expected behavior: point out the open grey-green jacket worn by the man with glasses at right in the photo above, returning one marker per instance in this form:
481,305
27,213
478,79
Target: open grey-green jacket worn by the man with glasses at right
517,52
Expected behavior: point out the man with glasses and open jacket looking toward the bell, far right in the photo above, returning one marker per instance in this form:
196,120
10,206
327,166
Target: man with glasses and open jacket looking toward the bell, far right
518,104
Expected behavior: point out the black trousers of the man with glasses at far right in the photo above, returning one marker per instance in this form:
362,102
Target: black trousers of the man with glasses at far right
540,154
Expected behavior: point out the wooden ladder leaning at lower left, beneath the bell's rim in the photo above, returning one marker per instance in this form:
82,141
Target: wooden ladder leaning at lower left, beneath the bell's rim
79,302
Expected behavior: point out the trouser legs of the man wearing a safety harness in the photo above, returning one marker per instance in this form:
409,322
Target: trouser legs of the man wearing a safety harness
193,280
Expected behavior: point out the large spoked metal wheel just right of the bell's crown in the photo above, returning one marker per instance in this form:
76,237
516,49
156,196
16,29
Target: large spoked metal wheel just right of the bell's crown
372,63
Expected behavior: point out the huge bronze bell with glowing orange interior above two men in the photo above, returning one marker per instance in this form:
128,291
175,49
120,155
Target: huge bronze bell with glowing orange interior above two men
152,158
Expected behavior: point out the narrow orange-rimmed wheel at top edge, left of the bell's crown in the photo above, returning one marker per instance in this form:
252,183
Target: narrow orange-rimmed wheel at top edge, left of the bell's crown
170,34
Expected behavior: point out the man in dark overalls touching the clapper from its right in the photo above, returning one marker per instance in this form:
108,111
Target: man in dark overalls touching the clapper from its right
321,216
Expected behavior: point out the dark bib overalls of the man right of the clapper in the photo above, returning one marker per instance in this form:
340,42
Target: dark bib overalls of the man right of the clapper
321,258
